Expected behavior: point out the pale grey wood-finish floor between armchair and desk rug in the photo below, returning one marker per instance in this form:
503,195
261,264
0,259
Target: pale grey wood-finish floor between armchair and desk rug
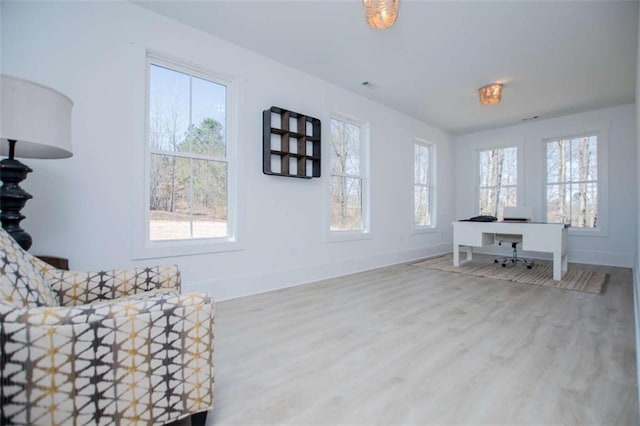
408,345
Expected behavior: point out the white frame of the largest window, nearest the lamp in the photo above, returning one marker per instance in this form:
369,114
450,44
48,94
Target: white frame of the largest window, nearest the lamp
143,246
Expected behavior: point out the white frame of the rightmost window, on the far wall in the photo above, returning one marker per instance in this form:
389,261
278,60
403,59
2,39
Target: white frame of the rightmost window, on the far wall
603,174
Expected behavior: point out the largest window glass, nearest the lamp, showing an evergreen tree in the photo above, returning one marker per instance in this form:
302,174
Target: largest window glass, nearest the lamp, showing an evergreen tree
188,154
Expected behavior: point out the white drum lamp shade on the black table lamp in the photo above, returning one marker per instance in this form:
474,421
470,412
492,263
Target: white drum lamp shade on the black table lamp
37,117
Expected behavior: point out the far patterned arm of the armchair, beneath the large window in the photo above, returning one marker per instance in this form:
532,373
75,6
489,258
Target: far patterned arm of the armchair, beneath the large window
78,288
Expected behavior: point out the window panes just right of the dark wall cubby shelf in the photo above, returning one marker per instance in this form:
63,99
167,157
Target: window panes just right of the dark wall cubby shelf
348,184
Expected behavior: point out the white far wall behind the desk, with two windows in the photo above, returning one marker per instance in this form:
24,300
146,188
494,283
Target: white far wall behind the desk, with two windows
617,244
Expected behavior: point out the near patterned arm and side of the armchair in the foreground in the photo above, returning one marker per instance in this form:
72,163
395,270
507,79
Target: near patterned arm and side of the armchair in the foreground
141,360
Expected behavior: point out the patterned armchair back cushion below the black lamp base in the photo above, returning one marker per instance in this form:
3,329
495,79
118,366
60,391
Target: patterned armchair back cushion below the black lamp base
21,283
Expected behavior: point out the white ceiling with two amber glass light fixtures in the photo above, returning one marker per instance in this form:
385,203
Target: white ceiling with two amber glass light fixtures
553,57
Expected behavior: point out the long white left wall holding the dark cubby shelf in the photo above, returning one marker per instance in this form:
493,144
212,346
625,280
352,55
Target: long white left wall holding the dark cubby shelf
82,208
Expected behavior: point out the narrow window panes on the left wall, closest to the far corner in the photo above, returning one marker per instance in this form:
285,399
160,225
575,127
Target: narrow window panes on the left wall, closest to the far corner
423,185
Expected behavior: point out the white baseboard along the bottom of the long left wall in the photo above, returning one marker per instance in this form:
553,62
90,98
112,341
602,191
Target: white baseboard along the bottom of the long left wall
245,285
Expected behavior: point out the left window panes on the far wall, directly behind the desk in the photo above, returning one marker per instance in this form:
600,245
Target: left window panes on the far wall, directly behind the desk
498,180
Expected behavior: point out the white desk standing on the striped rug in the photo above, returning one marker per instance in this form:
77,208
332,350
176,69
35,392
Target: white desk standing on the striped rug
545,237
